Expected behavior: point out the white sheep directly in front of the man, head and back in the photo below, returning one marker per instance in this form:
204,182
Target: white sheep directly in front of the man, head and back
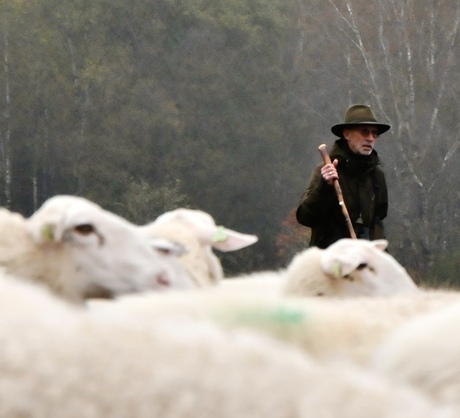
347,268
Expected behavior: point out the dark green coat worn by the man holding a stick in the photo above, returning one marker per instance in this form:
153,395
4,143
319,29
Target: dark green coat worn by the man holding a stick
364,192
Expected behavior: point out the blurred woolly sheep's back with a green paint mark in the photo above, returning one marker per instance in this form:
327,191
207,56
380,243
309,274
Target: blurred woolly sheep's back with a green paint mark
325,328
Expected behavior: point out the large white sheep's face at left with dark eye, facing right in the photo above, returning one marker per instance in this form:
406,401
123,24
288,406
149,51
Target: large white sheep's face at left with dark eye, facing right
98,253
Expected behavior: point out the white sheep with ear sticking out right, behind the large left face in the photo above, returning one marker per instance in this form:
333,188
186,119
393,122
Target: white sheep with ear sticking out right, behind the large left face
198,232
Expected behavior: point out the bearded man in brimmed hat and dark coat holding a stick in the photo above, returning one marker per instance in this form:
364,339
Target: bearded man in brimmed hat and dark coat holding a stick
356,166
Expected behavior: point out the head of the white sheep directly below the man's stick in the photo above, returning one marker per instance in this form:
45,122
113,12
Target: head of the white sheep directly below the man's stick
349,267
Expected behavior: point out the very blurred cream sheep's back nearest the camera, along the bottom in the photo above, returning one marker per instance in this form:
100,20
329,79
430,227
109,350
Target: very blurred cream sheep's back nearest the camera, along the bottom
60,361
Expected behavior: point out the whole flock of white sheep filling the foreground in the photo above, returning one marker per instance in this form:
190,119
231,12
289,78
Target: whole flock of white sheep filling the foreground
103,318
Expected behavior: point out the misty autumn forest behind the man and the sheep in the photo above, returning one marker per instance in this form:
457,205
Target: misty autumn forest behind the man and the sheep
220,105
